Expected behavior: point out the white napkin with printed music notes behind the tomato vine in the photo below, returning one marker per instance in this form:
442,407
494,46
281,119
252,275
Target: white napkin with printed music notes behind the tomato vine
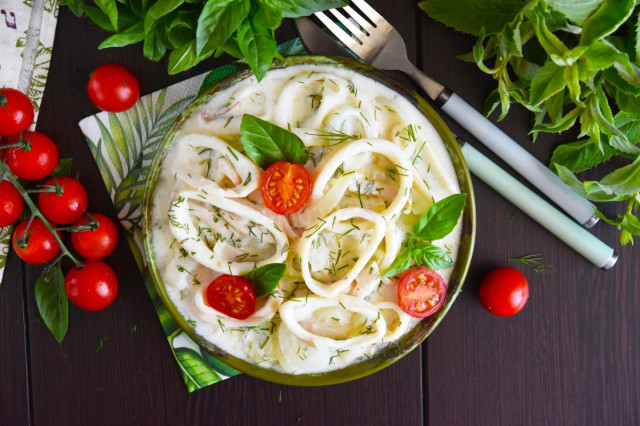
27,29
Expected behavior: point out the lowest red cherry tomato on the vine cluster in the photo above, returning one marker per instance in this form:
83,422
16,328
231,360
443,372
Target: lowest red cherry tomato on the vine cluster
92,287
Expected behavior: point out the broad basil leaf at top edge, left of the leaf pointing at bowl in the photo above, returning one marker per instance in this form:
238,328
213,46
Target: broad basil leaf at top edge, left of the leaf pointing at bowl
218,21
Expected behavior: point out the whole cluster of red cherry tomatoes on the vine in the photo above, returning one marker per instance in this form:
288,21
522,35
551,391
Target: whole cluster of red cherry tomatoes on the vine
61,206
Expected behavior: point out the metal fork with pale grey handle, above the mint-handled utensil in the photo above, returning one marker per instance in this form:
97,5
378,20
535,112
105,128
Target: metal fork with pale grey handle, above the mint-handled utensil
378,43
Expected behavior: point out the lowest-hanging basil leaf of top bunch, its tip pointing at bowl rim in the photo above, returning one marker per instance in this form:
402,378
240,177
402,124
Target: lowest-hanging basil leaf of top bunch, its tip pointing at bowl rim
257,45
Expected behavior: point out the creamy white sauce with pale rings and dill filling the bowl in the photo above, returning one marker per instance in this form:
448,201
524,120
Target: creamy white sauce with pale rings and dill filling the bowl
377,165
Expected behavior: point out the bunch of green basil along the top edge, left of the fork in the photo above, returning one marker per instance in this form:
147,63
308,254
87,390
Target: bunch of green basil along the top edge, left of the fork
195,30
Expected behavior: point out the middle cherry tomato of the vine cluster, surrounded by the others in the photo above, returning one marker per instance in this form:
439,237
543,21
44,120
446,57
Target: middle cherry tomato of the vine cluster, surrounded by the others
67,204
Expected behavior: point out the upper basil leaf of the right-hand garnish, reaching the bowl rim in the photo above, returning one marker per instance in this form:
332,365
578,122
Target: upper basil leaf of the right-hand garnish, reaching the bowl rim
441,218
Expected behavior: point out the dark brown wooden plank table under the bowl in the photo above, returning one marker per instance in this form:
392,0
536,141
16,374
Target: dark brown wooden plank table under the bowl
571,357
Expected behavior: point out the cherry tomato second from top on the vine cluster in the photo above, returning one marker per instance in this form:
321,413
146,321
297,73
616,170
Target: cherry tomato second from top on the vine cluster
34,161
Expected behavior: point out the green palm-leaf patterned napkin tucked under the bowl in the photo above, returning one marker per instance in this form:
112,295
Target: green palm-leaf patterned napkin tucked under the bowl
124,145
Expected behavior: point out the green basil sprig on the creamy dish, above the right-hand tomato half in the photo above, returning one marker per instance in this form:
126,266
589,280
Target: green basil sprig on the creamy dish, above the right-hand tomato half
435,223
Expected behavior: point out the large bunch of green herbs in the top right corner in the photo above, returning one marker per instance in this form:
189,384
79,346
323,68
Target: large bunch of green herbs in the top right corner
569,63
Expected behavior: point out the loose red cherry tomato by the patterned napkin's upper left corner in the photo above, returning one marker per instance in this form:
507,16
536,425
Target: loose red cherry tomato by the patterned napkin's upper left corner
113,88
